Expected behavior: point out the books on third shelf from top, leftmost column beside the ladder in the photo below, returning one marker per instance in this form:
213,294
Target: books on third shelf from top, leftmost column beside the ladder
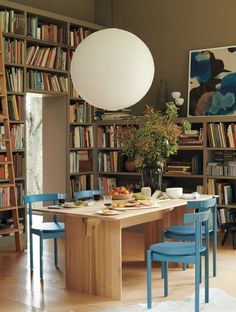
14,79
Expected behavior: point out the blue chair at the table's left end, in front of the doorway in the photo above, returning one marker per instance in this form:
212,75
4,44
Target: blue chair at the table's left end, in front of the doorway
45,230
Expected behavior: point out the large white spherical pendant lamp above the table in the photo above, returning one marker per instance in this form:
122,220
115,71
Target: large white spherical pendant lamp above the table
112,69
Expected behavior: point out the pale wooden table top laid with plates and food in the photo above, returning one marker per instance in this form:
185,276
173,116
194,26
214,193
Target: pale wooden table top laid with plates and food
92,210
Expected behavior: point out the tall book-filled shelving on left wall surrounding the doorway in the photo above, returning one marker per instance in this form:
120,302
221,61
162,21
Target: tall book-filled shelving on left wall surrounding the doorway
38,47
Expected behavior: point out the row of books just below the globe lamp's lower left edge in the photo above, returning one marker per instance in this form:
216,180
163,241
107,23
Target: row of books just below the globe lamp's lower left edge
80,112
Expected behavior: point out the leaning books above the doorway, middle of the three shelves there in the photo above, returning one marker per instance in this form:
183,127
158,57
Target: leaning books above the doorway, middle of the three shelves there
55,58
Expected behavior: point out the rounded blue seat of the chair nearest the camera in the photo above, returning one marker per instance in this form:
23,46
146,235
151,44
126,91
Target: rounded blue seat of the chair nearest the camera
176,248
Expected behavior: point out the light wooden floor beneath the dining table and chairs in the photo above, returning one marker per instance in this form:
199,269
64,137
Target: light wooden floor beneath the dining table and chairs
19,291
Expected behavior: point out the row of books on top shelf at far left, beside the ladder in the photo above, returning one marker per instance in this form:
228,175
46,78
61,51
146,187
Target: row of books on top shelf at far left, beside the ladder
12,22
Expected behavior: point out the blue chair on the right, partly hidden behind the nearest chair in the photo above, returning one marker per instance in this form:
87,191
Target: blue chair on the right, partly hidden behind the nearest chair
187,232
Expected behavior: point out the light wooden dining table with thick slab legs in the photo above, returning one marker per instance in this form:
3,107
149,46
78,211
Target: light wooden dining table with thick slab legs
93,242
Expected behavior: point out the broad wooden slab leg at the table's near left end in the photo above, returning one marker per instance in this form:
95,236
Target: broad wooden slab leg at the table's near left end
93,256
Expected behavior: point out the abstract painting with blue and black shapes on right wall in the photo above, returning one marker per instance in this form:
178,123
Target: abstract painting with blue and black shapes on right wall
212,82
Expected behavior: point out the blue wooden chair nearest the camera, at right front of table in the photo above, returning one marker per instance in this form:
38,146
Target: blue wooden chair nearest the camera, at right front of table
183,252
